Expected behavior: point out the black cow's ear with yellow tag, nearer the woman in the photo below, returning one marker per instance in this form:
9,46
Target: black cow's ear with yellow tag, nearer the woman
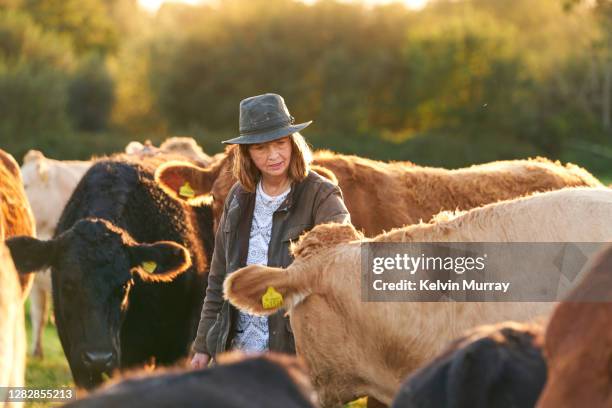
159,262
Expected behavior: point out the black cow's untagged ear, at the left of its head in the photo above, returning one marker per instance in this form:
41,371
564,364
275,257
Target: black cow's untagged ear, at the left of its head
31,254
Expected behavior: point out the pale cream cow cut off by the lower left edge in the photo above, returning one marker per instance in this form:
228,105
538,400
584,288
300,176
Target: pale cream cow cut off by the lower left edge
12,340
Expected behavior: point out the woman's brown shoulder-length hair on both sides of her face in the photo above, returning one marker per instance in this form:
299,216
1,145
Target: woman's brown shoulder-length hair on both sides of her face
248,174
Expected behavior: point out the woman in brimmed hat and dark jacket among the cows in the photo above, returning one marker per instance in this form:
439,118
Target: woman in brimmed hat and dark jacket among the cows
275,200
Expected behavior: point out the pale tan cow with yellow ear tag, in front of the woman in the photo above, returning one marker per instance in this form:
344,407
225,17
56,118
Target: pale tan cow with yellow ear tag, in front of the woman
356,348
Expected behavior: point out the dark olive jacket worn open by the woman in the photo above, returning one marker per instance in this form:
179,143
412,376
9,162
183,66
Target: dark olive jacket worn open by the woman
315,200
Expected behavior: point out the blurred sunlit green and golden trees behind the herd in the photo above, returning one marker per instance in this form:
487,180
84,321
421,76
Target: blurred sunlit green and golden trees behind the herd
456,83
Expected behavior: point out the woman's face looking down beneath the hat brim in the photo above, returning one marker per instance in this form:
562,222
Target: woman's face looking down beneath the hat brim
272,158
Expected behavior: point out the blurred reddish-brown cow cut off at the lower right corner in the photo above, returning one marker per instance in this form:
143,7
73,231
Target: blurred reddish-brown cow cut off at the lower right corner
578,342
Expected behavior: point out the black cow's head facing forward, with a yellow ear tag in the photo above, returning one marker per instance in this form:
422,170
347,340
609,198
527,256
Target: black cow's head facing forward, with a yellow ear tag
95,265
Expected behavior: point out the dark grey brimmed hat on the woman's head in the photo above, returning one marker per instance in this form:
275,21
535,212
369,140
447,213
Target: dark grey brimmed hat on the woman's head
264,118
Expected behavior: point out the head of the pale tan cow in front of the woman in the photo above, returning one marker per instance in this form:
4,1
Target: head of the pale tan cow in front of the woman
320,290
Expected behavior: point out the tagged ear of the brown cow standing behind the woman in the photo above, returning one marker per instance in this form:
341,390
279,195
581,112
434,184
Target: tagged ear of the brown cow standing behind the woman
184,181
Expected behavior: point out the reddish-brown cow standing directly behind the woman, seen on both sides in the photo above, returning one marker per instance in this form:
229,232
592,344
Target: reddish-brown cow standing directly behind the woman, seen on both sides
381,196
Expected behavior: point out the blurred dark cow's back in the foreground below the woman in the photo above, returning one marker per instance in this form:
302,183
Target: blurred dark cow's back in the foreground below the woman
270,380
